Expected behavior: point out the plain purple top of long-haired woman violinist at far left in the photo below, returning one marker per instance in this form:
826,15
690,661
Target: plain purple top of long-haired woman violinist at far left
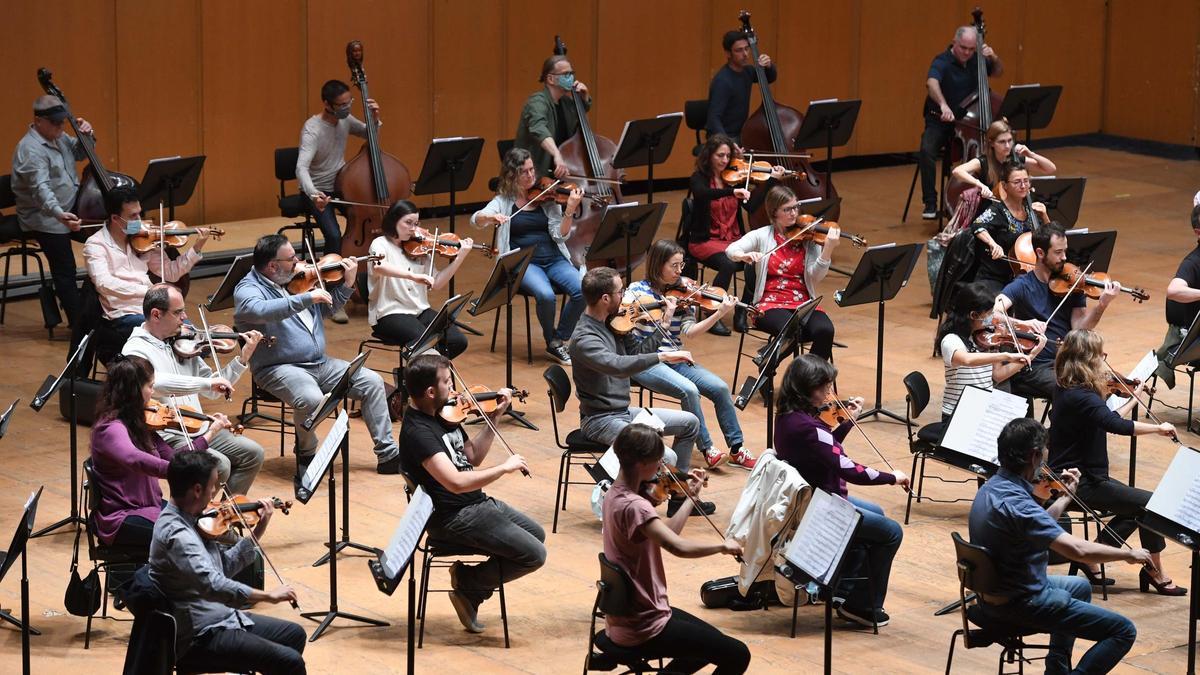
128,477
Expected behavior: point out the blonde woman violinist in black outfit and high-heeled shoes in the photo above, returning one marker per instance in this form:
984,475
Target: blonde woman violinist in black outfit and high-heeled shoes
1079,427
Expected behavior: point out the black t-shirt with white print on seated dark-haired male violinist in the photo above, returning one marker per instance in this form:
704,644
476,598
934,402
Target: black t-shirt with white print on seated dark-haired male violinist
422,438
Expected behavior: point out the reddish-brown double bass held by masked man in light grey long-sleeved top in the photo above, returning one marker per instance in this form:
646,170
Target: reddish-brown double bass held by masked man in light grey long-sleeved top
374,178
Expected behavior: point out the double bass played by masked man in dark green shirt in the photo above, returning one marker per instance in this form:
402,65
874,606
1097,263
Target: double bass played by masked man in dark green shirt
590,156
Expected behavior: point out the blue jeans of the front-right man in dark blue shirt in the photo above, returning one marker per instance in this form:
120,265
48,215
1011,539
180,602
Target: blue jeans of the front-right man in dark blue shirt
1064,610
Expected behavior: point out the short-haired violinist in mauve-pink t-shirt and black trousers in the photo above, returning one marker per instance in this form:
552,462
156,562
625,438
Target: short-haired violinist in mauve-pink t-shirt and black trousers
634,539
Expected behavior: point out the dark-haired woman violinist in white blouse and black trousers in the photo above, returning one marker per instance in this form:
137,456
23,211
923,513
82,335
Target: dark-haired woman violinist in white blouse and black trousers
399,285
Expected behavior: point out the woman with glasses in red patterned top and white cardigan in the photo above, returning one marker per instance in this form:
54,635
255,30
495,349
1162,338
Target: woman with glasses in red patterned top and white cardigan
789,277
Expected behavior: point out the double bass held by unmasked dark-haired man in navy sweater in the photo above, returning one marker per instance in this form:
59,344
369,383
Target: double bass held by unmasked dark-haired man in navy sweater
776,127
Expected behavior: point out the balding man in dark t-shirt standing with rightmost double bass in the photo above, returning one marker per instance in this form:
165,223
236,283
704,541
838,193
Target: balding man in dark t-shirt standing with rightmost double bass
951,80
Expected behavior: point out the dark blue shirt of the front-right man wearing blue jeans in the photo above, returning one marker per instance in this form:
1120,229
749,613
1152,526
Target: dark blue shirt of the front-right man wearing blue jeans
1016,530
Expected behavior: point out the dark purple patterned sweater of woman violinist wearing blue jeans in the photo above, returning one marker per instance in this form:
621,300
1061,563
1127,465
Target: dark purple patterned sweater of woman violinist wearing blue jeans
815,451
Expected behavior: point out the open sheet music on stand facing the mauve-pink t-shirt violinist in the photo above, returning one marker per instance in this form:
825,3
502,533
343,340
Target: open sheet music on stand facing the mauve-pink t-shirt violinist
823,536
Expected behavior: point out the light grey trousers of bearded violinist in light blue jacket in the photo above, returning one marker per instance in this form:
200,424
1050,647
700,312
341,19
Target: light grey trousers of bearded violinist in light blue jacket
303,386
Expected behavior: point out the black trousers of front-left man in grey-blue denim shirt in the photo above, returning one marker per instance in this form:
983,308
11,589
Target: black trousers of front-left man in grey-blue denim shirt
271,647
